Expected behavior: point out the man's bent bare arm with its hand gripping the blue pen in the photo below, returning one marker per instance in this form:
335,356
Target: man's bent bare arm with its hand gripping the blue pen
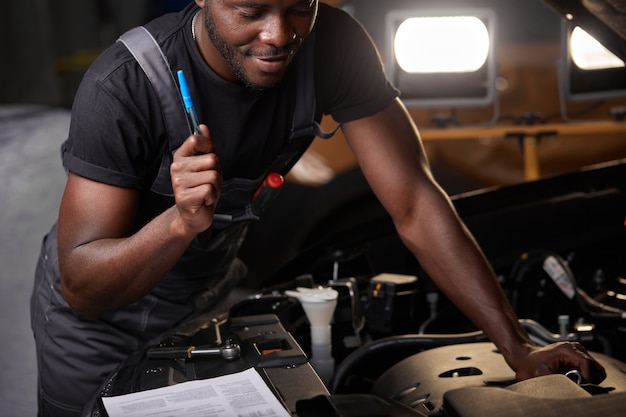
103,263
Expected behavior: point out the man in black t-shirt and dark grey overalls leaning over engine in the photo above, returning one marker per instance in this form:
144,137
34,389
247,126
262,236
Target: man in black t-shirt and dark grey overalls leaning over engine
131,264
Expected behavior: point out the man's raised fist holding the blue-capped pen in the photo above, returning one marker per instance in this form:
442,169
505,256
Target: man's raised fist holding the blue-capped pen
197,181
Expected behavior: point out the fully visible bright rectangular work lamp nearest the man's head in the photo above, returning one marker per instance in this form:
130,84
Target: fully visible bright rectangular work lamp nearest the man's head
440,58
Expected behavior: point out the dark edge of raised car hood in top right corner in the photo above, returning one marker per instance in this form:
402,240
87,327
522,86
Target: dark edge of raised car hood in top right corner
605,20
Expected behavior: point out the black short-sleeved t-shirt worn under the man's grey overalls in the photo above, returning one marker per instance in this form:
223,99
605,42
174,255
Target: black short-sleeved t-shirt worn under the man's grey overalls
117,133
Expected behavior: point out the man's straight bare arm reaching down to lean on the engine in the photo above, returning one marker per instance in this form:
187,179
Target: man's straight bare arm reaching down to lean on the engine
392,158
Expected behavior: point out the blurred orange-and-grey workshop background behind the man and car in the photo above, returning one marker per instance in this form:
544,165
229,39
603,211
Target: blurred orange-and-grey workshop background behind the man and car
522,125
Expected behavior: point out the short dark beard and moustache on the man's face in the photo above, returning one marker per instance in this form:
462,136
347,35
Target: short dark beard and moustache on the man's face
233,57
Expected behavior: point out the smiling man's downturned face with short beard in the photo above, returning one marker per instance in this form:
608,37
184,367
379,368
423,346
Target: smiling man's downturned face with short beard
256,39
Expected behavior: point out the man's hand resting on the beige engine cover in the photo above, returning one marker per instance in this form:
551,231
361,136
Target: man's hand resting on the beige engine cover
560,358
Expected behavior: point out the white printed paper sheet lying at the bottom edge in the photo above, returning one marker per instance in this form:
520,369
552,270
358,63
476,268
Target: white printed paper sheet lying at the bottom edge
243,394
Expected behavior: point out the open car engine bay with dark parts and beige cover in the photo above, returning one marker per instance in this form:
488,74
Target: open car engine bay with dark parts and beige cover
398,346
